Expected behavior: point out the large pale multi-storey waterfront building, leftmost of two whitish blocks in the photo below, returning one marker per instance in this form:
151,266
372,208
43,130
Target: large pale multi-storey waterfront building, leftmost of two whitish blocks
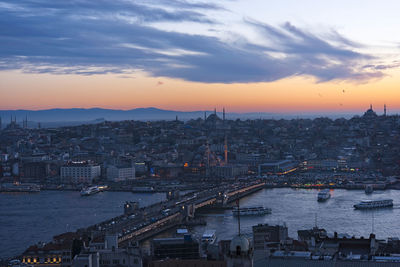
82,172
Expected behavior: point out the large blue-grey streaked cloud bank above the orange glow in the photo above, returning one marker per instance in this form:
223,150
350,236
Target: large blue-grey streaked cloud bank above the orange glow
95,37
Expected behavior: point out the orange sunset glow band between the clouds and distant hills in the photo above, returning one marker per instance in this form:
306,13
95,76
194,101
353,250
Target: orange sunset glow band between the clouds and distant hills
294,94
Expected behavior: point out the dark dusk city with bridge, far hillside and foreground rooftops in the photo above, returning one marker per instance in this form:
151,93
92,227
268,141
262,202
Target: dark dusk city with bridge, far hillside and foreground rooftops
200,164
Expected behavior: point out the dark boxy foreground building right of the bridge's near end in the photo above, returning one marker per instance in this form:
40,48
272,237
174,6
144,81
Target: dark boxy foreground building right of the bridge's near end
175,248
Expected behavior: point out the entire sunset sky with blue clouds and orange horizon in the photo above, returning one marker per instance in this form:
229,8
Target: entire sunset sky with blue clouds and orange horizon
245,55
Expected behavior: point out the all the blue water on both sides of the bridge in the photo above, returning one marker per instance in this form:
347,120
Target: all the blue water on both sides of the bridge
27,218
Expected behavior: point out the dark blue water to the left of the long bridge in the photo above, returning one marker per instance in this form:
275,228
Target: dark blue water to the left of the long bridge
26,219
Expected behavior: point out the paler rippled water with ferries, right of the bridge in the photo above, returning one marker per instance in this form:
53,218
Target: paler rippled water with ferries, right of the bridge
298,209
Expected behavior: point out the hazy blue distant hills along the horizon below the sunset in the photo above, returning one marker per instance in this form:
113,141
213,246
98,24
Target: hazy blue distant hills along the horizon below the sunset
75,116
